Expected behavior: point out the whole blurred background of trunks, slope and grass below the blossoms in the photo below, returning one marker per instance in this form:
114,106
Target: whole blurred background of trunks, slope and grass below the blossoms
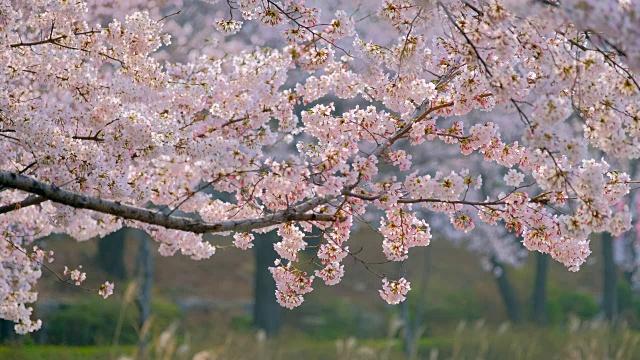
462,306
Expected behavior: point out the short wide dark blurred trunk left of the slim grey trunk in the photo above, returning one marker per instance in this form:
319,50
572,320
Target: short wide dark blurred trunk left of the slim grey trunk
110,255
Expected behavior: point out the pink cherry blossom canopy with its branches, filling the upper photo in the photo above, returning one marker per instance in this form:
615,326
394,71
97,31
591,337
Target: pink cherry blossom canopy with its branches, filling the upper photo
109,123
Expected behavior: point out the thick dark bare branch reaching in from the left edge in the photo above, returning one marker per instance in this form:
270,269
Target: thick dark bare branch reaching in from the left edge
80,201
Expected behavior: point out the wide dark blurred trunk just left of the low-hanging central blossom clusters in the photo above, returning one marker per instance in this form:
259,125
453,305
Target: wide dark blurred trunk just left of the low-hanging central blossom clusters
266,310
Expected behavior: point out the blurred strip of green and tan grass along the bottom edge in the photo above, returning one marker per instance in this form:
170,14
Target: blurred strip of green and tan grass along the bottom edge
472,341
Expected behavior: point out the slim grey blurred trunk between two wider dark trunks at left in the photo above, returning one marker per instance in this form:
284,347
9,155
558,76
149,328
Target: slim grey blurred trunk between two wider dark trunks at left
145,274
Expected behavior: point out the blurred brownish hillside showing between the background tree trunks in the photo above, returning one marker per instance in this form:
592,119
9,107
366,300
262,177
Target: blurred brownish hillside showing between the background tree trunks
224,283
